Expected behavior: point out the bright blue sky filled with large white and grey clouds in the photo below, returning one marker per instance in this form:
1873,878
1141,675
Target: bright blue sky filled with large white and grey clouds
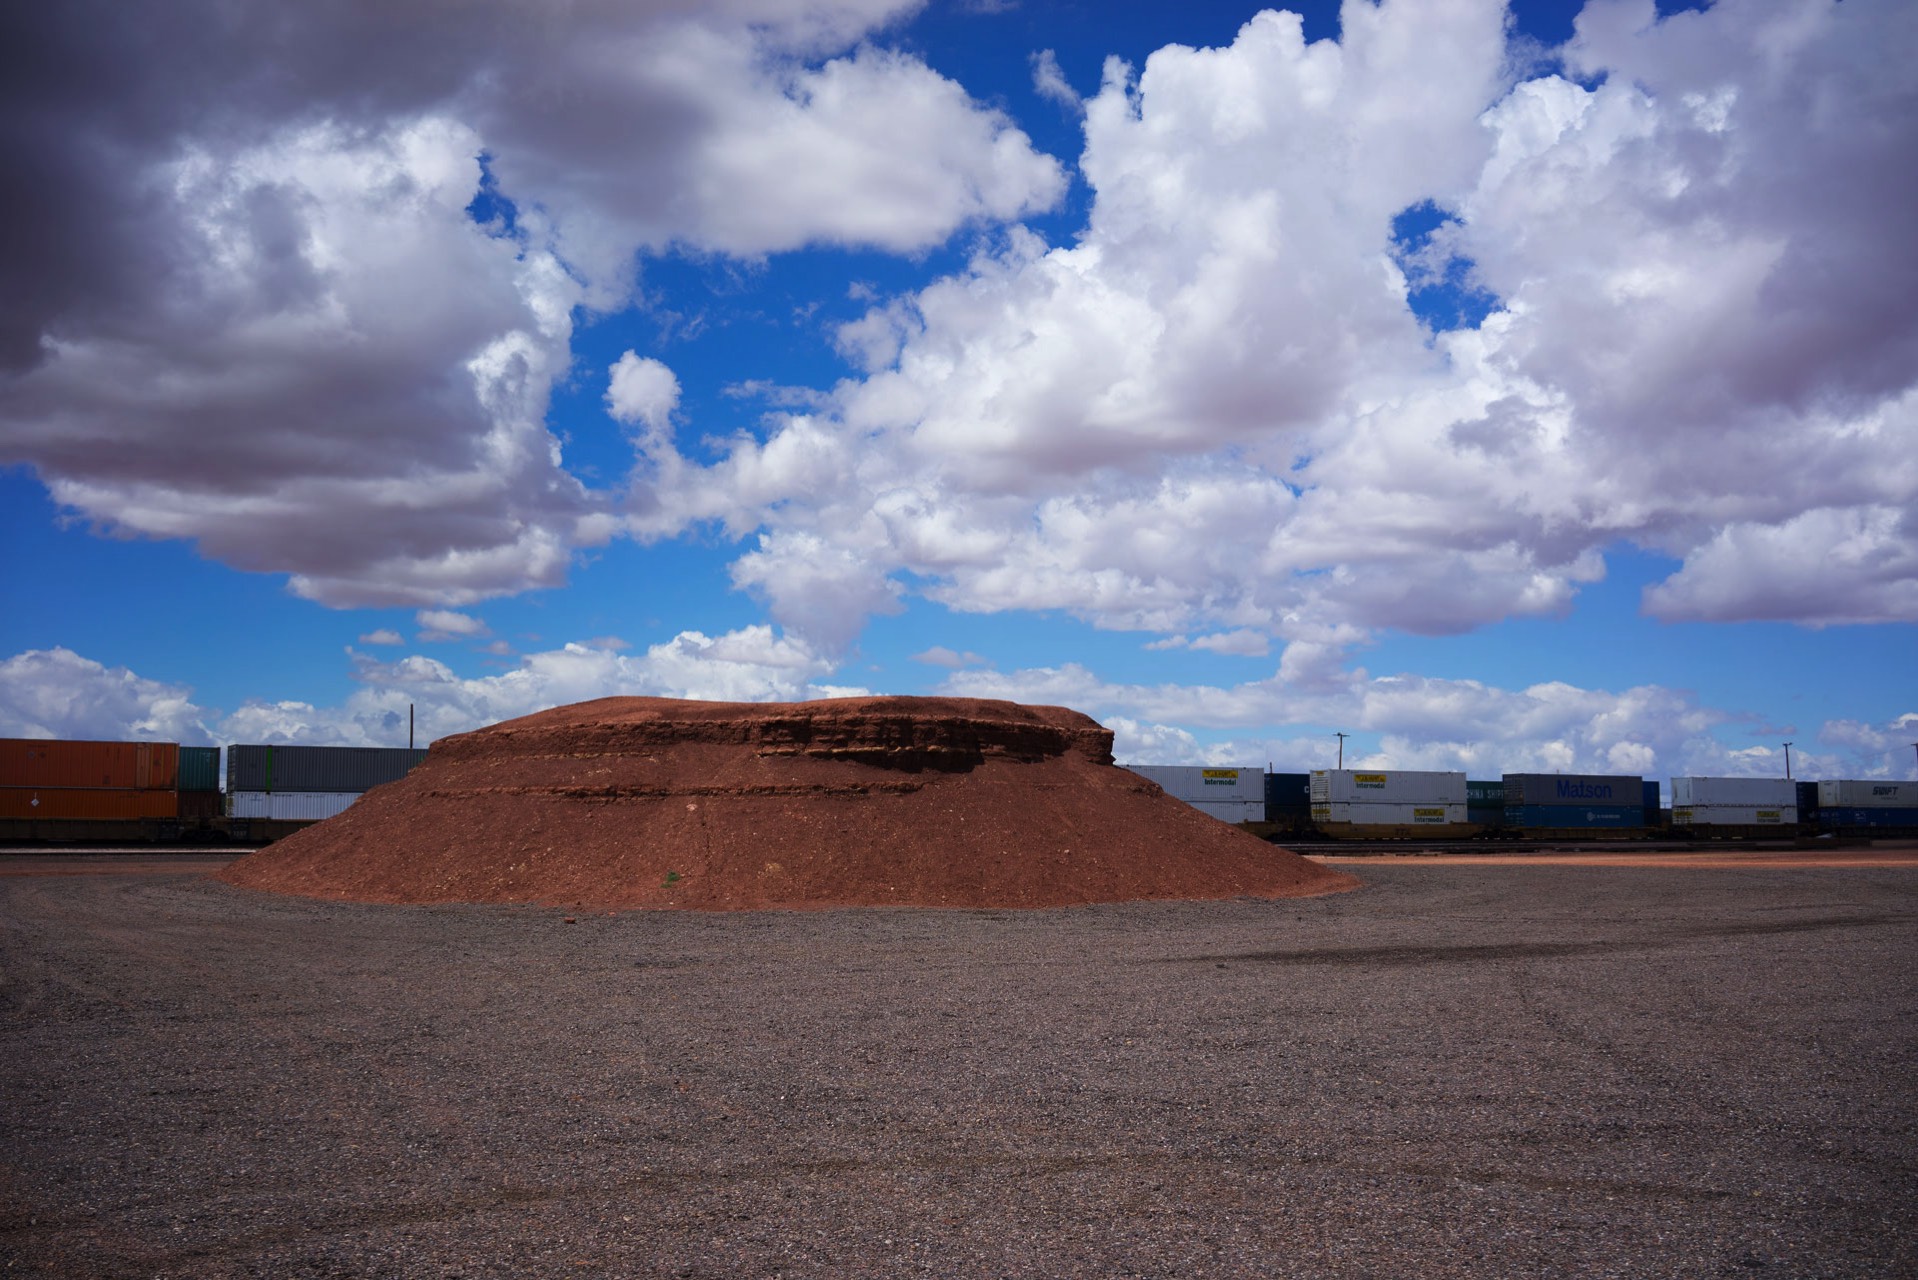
1507,391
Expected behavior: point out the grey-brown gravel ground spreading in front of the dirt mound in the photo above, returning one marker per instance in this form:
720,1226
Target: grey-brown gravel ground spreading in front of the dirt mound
1455,1072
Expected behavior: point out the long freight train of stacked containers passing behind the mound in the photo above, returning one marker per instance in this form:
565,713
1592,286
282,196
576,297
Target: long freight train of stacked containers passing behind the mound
151,794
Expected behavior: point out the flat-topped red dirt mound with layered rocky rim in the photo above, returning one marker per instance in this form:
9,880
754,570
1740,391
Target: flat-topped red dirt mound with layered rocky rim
645,803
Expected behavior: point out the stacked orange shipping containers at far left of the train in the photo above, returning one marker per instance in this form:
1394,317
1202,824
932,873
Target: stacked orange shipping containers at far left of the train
68,782
